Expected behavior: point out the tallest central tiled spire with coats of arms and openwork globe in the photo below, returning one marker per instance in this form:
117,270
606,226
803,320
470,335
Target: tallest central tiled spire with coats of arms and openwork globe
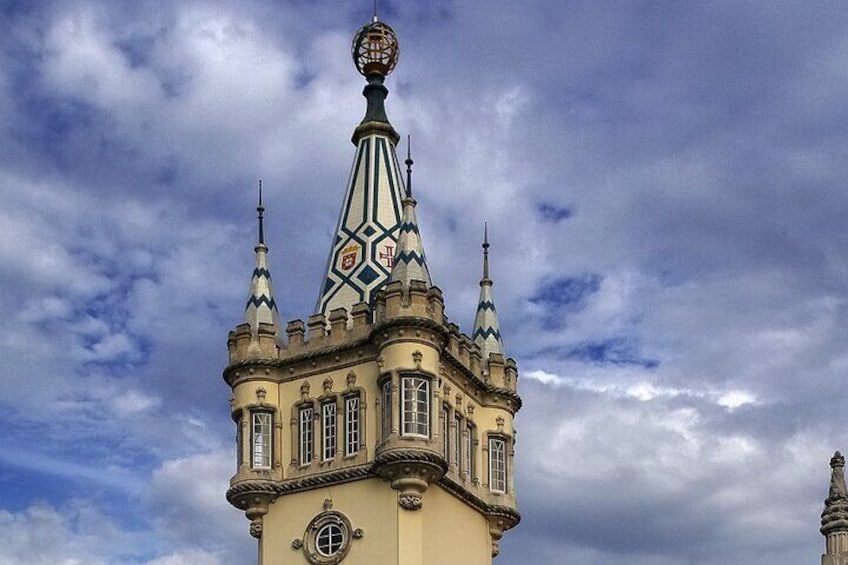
366,239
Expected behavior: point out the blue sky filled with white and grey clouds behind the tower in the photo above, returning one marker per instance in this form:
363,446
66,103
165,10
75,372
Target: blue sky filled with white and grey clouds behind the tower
665,187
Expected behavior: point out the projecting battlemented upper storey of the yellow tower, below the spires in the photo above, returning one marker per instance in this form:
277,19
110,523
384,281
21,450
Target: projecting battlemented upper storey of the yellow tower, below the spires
375,358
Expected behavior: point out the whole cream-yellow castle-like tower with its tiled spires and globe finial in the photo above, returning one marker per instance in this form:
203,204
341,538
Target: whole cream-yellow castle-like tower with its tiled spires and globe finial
376,432
